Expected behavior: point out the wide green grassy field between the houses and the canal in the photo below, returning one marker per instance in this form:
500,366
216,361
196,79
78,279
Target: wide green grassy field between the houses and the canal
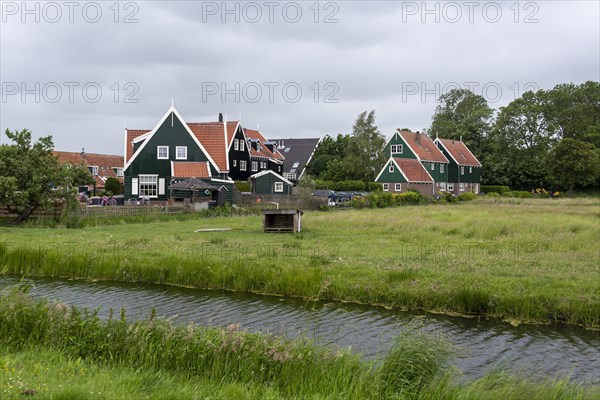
529,260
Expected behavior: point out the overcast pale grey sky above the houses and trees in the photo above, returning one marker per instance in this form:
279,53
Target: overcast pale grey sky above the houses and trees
82,71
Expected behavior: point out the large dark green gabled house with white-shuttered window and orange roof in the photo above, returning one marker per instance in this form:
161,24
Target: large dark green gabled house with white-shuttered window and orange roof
172,151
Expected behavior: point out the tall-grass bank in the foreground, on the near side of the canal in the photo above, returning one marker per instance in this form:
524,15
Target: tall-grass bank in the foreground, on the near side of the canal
52,351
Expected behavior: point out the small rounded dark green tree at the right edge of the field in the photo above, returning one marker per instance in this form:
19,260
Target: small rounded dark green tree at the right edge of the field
573,162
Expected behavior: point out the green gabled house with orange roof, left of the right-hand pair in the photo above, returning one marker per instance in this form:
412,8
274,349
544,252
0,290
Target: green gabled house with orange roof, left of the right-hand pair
409,145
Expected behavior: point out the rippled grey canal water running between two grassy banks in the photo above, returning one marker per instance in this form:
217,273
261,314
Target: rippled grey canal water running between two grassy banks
536,352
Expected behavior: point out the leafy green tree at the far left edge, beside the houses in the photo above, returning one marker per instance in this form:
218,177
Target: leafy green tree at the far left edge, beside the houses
31,177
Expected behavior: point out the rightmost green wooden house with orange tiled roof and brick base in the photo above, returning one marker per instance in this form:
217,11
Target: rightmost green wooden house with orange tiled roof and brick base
464,170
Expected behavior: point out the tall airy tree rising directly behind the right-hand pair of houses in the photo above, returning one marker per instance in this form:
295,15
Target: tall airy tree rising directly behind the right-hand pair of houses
462,113
